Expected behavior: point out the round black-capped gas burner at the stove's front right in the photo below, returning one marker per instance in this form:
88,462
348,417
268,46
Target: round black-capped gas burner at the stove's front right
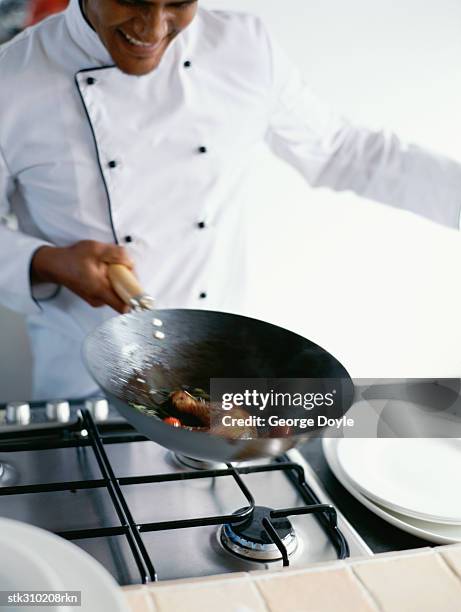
251,541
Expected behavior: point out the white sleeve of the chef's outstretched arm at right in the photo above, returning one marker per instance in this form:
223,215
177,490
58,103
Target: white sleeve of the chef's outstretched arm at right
330,151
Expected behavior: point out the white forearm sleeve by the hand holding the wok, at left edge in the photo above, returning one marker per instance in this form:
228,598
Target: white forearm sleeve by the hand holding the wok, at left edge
16,251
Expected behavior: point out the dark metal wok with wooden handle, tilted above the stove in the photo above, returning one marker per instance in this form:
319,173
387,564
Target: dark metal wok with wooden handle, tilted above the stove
128,362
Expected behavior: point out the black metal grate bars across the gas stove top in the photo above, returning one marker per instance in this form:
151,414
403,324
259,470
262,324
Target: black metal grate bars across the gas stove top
325,513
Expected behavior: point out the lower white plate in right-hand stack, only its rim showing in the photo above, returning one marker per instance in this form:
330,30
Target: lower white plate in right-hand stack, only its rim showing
432,532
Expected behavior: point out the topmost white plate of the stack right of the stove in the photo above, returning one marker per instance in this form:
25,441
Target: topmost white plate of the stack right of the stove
411,476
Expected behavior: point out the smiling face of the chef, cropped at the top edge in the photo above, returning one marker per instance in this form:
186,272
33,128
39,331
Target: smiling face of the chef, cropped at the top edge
137,32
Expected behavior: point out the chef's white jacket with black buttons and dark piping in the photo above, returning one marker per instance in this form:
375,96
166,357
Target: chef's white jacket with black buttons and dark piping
159,163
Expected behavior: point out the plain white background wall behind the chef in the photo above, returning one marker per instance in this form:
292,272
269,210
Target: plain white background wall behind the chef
377,287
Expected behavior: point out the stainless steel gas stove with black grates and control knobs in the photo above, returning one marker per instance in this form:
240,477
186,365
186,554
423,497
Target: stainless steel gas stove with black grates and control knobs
79,470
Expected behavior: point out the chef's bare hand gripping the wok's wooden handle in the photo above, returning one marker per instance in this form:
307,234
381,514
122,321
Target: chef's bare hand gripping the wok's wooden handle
82,268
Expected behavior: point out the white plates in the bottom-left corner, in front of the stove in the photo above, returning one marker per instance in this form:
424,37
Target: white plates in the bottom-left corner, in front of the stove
35,560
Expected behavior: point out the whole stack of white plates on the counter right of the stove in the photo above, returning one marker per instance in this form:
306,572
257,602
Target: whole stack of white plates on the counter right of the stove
414,484
